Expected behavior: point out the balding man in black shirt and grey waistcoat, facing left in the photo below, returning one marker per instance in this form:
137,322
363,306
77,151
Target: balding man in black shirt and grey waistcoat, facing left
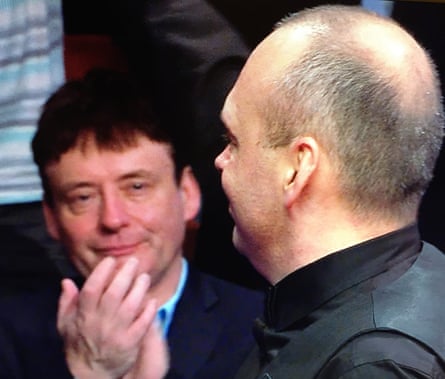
334,127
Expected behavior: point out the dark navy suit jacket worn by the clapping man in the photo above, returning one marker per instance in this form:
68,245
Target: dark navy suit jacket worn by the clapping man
209,337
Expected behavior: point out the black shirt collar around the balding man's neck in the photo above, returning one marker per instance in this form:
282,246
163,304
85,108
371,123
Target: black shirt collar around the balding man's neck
309,287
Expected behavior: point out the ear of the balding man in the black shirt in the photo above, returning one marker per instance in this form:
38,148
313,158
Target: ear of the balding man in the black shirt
303,160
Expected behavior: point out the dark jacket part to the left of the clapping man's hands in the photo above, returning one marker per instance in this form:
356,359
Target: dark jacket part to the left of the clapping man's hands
30,345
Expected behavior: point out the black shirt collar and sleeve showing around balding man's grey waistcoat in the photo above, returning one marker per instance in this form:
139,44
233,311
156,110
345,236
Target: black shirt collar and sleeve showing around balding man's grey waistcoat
314,291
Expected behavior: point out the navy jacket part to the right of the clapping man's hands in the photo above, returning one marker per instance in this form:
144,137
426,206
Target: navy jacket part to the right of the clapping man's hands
211,332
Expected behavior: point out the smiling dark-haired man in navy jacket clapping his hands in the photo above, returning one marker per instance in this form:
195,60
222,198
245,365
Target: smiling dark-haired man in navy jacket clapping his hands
118,195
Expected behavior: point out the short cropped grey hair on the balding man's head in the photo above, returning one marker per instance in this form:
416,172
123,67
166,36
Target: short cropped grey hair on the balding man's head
383,148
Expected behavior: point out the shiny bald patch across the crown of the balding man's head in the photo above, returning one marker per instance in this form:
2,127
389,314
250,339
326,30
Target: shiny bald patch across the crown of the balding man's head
380,42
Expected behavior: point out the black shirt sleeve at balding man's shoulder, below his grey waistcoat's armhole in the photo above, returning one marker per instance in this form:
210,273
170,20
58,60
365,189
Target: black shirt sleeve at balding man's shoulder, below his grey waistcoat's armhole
383,354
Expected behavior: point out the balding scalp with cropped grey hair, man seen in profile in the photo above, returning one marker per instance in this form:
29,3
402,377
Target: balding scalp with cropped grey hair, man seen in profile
369,94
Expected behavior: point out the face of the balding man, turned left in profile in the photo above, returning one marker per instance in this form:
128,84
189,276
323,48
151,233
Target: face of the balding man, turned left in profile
248,168
